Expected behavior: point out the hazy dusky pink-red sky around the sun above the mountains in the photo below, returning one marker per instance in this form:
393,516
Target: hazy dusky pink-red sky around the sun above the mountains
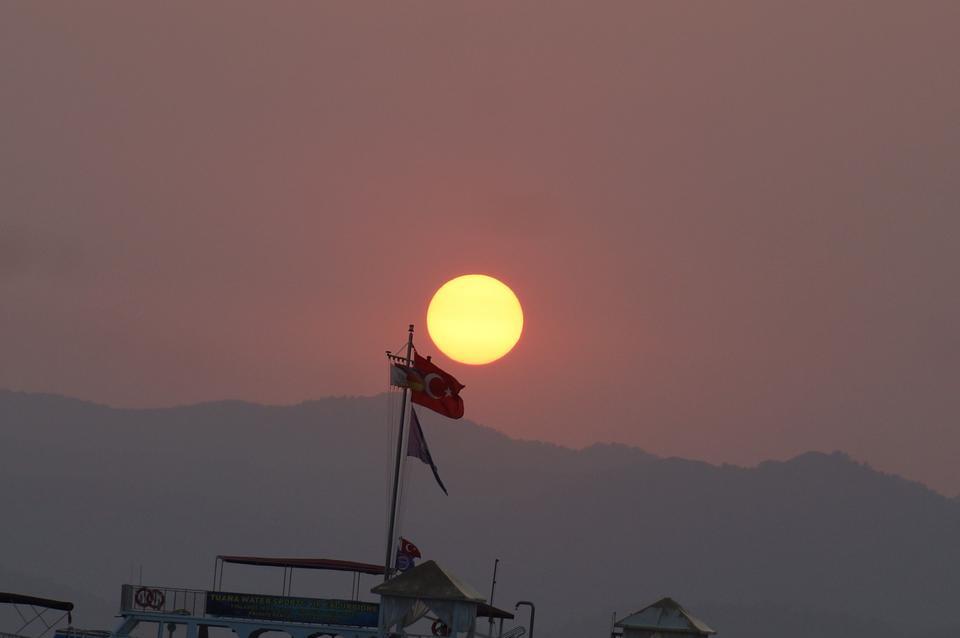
733,226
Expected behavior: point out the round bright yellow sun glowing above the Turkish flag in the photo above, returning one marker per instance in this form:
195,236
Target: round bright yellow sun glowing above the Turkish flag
475,319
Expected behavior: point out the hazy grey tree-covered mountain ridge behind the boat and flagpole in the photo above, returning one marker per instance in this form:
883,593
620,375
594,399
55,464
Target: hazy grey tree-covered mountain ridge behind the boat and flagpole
821,542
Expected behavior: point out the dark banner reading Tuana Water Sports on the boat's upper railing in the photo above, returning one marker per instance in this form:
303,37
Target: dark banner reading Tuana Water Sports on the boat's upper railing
322,611
